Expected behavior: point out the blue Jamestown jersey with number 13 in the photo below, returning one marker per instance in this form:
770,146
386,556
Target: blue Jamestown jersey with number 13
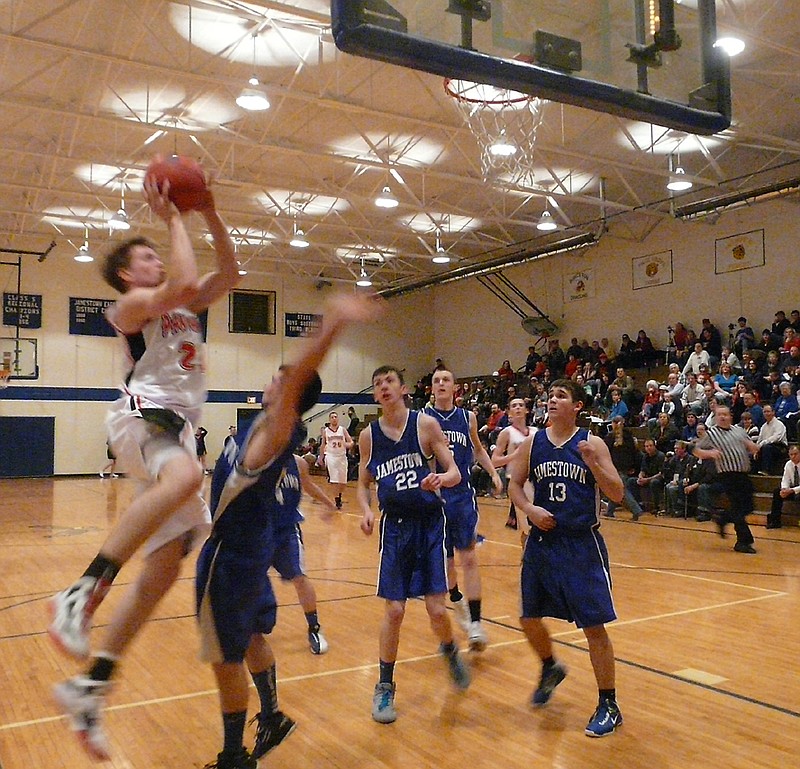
562,483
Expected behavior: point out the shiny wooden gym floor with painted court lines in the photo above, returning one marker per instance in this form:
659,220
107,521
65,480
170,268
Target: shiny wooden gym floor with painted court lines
707,646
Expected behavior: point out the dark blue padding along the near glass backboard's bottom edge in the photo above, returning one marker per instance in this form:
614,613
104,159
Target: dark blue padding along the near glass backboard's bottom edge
374,42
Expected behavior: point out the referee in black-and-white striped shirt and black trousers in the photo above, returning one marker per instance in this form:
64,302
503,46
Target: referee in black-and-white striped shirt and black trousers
729,447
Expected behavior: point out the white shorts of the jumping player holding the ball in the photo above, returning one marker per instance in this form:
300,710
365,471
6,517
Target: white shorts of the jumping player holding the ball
143,449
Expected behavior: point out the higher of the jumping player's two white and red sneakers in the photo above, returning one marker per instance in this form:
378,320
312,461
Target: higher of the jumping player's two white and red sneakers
72,611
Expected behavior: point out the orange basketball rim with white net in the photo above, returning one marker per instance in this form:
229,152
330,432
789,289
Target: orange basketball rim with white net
504,122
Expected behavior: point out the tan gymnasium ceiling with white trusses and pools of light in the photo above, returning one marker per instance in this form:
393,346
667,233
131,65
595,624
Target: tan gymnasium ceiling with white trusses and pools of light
91,89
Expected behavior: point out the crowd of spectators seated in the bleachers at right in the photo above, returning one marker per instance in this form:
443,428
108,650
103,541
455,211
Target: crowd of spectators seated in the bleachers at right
757,376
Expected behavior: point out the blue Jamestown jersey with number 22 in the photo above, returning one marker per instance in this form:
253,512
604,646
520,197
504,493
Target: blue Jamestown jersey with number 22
398,467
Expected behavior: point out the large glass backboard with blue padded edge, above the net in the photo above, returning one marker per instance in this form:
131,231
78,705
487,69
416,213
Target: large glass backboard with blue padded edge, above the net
650,60
